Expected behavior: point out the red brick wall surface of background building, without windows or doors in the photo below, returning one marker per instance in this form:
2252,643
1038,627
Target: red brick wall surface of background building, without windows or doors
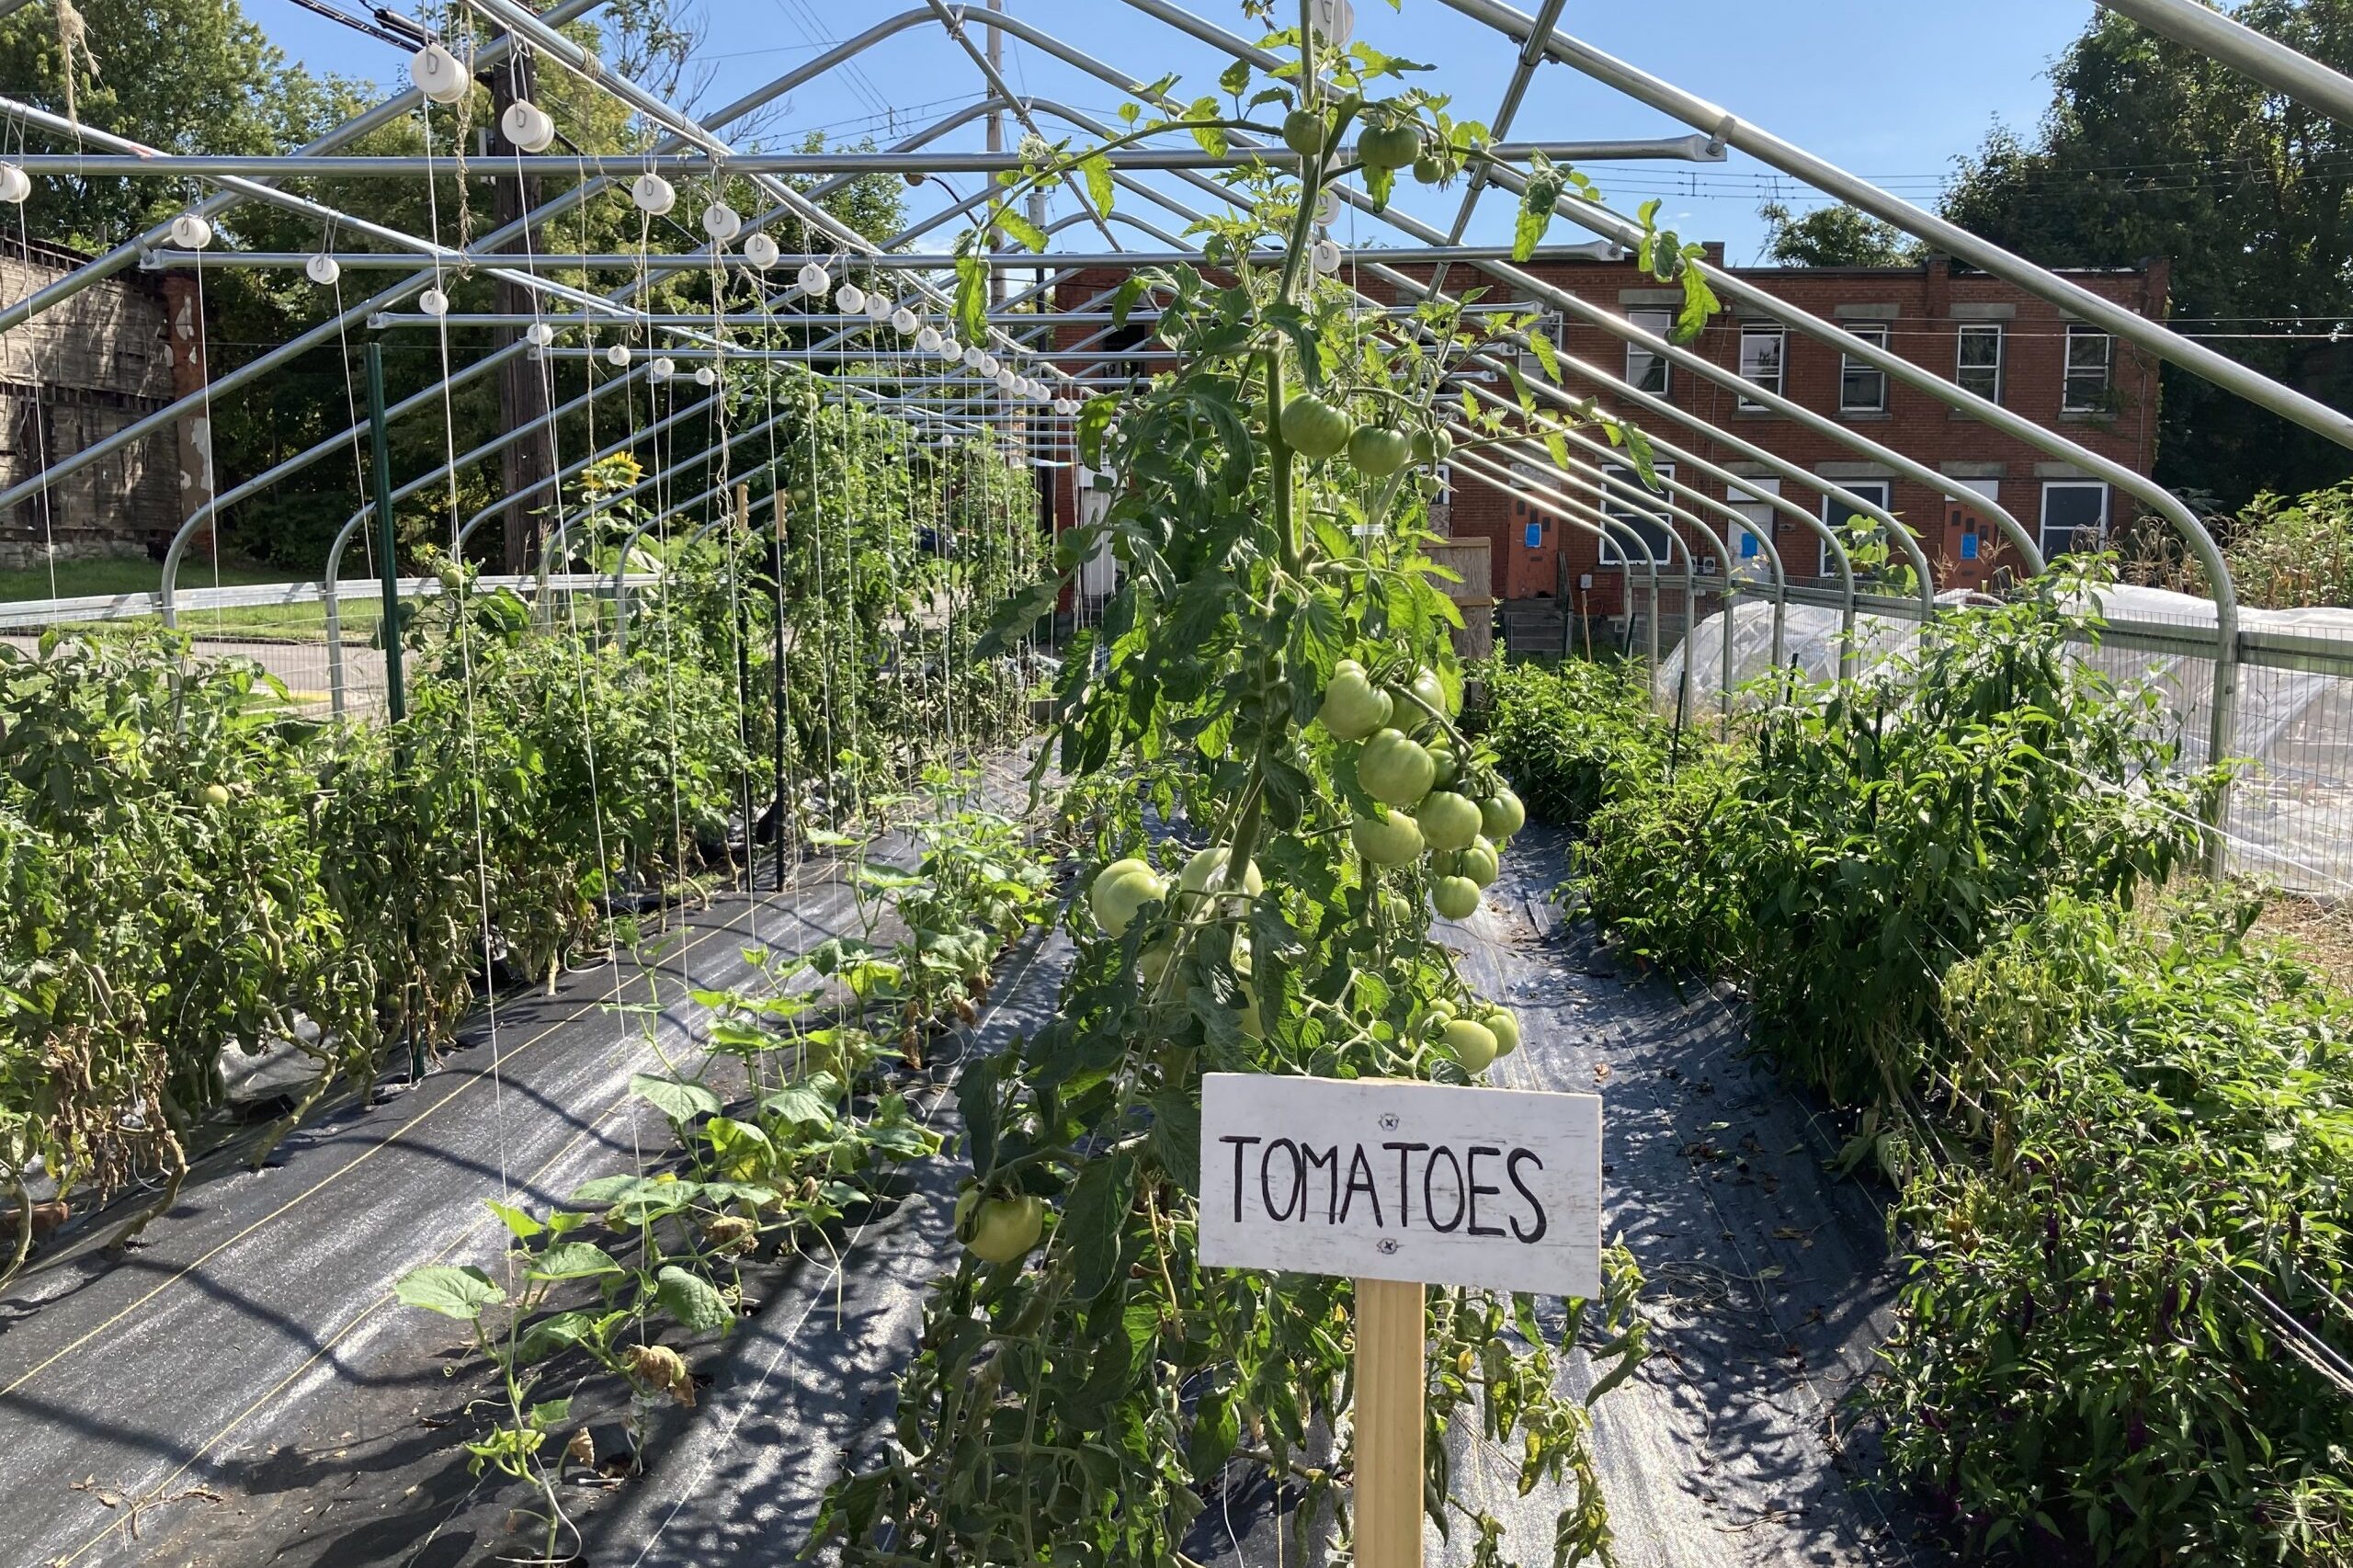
1924,310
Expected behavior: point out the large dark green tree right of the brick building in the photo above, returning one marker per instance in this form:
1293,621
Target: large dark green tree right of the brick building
2149,152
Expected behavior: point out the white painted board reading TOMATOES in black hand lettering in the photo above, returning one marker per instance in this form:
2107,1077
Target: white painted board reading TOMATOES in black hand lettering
1404,1181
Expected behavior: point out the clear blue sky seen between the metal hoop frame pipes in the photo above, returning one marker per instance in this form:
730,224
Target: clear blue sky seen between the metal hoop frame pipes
1886,88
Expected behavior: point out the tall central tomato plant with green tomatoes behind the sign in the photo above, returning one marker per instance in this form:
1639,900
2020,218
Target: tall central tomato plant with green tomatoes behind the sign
1074,1400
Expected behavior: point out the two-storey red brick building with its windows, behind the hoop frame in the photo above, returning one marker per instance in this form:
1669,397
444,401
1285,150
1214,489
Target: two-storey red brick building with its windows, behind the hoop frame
1964,326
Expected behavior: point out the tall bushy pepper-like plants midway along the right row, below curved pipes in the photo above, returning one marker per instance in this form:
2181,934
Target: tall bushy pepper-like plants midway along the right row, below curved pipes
1874,835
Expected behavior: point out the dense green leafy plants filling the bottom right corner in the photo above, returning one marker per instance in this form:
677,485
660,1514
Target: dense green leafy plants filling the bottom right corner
2133,1280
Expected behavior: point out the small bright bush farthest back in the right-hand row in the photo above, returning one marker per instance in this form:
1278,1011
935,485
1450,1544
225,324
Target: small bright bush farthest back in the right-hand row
1571,736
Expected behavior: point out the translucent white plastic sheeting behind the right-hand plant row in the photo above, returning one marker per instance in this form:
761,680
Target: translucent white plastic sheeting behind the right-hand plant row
2293,806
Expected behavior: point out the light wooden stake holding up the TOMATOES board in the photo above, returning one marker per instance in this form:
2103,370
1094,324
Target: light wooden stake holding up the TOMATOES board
1389,1470
